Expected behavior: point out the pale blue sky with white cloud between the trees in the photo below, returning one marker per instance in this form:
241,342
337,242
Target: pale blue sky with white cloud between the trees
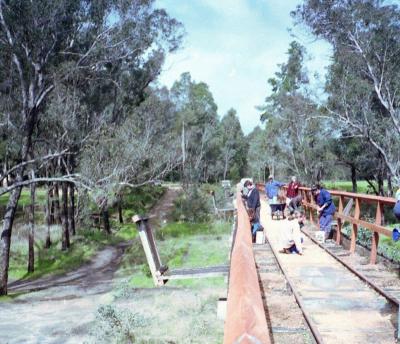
235,46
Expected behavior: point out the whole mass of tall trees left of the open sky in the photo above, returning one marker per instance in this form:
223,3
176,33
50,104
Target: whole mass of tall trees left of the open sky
81,116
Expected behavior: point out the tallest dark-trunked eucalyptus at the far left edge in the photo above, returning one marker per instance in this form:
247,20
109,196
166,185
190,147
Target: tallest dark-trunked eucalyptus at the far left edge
45,42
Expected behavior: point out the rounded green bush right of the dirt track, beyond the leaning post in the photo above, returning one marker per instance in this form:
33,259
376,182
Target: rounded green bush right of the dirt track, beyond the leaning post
191,206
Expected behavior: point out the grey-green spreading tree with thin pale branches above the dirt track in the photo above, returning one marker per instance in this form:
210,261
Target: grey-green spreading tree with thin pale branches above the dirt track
133,153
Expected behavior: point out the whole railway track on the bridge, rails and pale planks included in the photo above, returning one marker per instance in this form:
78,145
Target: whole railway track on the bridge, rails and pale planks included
324,300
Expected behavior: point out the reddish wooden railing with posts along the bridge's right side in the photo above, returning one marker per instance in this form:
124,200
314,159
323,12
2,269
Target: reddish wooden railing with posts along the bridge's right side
376,228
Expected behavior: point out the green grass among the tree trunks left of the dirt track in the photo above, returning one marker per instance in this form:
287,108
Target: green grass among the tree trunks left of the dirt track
87,242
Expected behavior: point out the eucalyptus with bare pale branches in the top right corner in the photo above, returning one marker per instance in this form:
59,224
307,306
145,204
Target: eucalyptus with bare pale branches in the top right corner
364,78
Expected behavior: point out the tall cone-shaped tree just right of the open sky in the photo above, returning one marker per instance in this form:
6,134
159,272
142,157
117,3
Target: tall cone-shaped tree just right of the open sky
295,134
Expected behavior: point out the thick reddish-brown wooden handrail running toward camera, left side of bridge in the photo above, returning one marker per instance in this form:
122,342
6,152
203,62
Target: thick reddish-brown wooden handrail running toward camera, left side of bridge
245,319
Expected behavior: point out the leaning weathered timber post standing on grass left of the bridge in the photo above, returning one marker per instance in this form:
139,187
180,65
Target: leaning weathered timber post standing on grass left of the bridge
150,249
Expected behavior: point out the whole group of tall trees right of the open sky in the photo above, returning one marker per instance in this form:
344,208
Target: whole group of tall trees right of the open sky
356,128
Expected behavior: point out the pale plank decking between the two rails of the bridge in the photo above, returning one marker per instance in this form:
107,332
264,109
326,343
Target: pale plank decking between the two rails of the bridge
341,306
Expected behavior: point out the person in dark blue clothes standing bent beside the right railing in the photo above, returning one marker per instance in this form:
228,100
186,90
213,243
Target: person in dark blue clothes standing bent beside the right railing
326,208
